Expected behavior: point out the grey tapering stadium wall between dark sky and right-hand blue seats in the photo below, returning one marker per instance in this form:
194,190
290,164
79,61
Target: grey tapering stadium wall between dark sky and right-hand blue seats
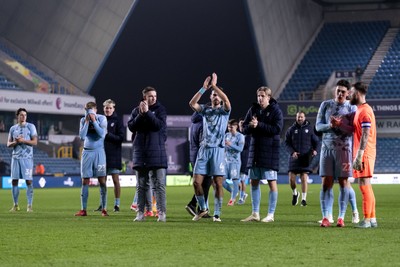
282,30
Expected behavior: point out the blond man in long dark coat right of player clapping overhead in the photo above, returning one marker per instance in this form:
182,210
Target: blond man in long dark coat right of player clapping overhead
264,121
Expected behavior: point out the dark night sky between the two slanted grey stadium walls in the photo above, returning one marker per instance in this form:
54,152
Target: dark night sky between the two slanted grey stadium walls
173,45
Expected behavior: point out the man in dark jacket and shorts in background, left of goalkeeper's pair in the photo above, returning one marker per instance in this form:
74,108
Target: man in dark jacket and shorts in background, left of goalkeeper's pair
302,145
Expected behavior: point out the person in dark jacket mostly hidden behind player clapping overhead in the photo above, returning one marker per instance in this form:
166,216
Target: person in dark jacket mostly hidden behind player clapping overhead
196,135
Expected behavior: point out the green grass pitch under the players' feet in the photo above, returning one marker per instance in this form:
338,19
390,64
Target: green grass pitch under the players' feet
52,236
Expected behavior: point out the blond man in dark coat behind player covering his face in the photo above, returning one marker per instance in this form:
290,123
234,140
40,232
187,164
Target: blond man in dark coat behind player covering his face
113,148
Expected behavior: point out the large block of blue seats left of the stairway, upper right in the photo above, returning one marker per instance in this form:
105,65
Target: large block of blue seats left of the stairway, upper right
338,47
